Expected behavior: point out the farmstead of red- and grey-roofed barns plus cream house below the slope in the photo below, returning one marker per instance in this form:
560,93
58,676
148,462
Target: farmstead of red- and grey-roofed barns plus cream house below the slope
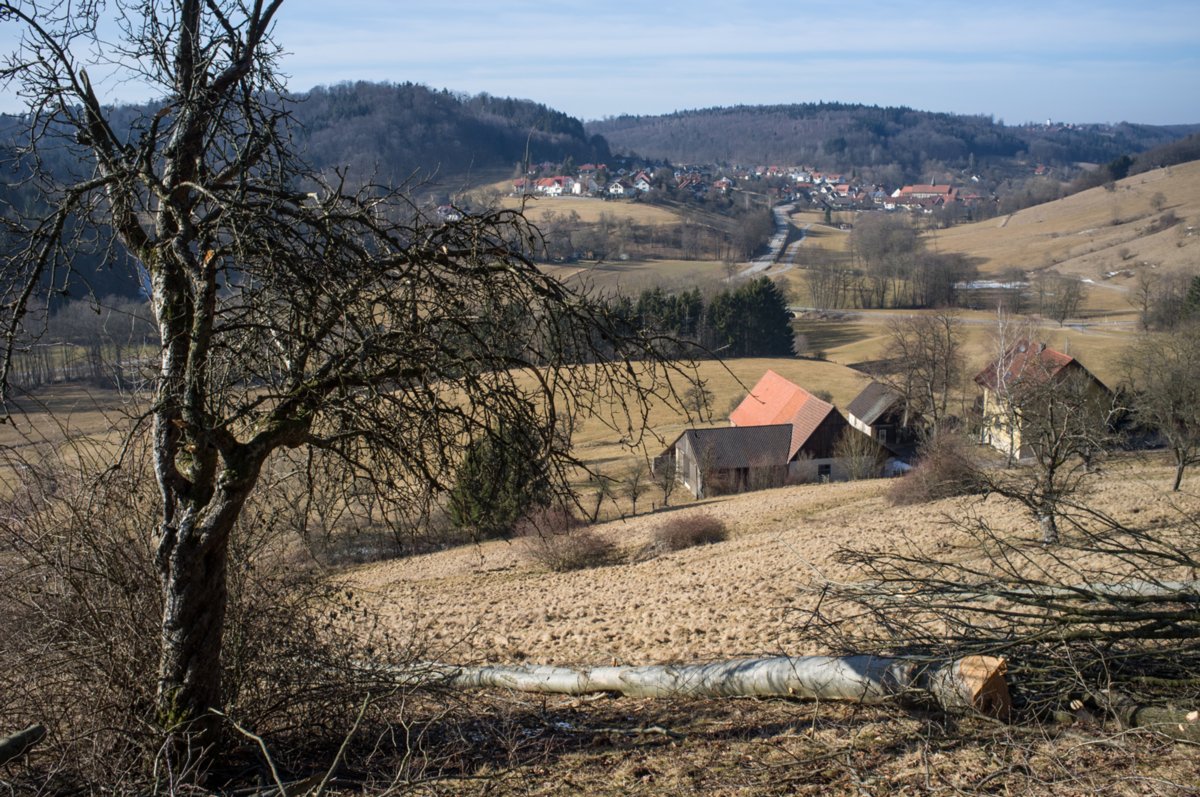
782,434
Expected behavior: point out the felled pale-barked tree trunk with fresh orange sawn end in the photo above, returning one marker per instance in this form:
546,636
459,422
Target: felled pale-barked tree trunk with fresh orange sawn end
973,684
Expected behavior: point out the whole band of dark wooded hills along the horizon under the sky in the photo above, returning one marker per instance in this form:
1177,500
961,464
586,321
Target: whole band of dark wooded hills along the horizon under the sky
441,141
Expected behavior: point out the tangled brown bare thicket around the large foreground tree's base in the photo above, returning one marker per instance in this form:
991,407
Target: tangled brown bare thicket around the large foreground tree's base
81,608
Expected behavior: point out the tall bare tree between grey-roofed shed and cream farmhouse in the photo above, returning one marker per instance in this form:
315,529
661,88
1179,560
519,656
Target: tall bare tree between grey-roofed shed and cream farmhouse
925,367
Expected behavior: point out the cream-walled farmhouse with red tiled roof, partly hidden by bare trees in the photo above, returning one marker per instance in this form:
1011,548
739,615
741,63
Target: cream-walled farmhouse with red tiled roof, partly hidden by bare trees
1010,379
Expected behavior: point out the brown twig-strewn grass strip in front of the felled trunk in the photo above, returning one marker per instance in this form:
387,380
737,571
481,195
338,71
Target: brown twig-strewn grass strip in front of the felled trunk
511,745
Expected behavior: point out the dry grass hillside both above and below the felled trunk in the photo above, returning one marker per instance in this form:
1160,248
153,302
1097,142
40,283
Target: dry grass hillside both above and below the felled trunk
749,596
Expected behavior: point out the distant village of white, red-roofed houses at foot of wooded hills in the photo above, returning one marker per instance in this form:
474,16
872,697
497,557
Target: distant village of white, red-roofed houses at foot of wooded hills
836,191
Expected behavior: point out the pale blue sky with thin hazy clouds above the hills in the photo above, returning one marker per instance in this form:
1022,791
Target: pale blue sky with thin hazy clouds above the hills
1063,61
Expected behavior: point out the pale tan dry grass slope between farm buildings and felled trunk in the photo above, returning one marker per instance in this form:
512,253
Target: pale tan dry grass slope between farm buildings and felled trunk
748,596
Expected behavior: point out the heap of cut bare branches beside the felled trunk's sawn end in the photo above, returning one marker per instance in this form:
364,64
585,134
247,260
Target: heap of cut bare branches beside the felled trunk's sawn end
1111,614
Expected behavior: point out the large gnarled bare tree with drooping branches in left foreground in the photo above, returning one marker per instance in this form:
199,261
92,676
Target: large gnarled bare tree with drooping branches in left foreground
292,313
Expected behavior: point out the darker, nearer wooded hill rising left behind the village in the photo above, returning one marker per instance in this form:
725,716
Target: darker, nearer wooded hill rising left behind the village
373,133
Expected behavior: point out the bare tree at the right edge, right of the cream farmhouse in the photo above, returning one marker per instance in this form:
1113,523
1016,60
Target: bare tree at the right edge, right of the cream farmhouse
1165,374
